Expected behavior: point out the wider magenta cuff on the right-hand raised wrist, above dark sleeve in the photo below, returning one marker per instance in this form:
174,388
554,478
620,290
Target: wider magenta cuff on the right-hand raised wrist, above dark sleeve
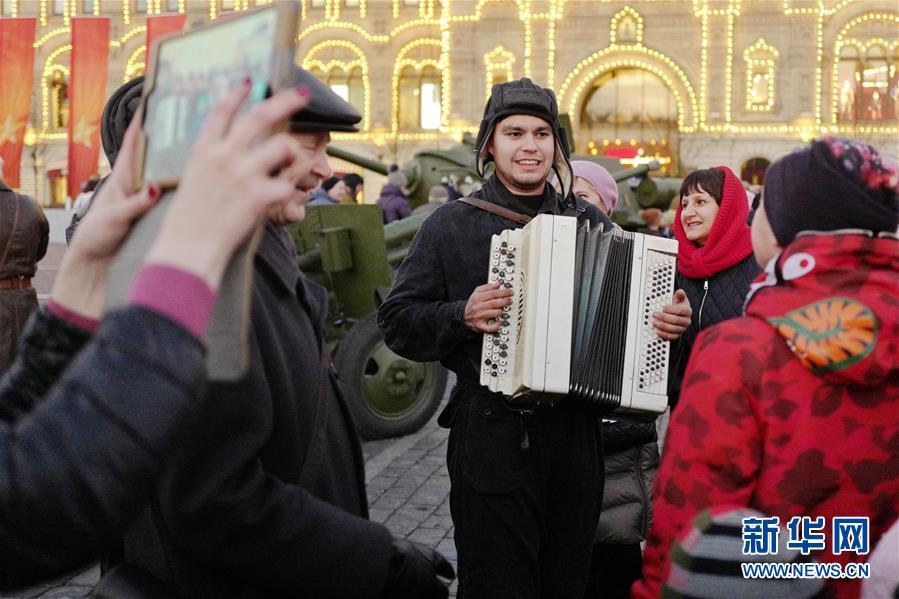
174,293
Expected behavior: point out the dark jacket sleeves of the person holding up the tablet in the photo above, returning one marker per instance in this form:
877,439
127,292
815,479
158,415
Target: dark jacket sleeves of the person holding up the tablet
74,470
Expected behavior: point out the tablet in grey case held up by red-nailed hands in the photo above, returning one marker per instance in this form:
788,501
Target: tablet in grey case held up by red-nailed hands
187,75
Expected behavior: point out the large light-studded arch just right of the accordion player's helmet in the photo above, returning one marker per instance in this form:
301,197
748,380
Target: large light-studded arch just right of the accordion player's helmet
571,92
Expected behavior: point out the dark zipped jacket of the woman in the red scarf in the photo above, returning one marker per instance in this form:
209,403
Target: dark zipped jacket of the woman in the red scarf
713,300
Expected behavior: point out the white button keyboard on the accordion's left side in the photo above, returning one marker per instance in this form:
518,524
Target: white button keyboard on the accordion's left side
498,354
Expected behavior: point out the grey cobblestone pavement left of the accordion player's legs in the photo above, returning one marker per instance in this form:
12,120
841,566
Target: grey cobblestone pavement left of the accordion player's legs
408,490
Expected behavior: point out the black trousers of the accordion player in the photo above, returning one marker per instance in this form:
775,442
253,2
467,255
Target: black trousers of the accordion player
525,498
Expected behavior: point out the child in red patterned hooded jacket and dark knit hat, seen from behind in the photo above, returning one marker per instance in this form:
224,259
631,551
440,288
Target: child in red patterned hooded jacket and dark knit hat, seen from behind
793,409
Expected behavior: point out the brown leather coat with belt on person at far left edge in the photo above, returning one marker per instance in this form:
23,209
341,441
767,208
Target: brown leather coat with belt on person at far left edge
24,234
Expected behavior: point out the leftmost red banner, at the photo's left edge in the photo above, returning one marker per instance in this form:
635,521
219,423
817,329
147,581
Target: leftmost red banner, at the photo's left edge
16,82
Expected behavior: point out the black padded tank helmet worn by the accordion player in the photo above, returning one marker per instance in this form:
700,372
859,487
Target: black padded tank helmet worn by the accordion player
525,97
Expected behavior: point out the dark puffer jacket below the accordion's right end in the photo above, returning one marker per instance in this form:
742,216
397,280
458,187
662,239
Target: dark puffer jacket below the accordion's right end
631,460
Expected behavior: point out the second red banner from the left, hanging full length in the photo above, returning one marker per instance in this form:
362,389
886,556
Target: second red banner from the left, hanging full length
87,95
